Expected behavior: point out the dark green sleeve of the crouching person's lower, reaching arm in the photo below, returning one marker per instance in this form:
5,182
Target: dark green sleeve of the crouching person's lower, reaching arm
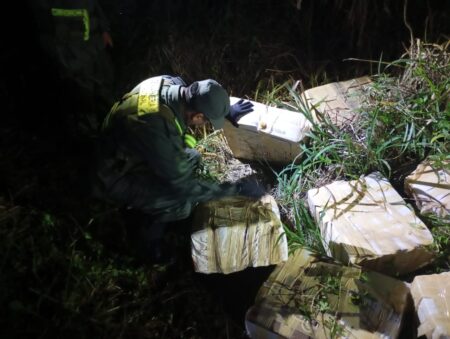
154,139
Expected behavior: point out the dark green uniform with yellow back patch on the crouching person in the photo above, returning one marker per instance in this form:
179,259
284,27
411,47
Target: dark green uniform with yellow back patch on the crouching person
142,161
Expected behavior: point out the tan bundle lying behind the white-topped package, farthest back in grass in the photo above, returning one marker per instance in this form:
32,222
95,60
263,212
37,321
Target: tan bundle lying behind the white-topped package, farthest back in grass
340,101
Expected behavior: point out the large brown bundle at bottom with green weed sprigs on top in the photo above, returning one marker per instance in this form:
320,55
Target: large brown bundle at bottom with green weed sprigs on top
312,297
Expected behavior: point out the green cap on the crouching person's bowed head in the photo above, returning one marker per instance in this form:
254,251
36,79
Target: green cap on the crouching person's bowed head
212,100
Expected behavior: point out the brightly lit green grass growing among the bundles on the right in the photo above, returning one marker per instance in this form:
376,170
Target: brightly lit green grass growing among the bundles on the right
404,119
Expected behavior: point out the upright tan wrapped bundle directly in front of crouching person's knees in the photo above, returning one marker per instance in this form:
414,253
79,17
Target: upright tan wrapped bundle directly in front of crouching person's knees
235,233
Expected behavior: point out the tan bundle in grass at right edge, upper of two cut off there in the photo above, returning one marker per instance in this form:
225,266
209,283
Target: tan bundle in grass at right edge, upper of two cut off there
429,185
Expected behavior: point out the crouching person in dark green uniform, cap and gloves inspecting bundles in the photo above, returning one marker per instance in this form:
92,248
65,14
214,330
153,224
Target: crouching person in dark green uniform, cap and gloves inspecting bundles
146,161
